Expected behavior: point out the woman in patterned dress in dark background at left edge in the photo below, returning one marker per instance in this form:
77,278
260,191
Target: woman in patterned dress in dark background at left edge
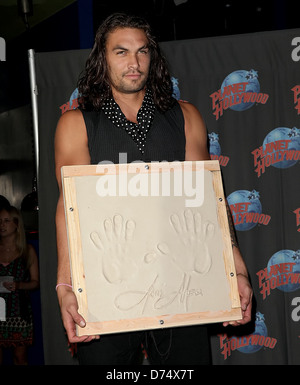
18,275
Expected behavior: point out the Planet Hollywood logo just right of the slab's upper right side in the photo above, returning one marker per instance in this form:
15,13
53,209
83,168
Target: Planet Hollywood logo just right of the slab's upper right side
246,210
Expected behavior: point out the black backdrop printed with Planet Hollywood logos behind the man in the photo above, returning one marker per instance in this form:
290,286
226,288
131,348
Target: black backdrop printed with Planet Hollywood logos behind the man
247,87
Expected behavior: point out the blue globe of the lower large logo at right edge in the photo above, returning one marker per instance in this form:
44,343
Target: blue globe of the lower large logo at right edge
286,256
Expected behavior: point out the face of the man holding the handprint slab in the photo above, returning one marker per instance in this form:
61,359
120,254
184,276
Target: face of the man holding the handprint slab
128,59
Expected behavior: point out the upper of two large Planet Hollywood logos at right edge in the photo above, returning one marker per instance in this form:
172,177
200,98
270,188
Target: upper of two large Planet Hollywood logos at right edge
280,149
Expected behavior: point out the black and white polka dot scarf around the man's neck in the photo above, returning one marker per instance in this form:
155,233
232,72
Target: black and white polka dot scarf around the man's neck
138,131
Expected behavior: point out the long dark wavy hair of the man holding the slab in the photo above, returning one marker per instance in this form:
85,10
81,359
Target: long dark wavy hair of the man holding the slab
94,86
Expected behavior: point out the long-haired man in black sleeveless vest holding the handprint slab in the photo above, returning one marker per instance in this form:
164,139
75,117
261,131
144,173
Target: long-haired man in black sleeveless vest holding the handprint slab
126,106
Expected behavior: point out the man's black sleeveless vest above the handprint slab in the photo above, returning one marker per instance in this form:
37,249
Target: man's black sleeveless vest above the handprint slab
165,139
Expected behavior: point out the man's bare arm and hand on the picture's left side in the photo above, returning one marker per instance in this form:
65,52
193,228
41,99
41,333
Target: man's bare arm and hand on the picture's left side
71,148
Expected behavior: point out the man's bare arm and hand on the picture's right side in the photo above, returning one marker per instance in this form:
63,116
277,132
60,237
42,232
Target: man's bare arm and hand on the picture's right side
197,149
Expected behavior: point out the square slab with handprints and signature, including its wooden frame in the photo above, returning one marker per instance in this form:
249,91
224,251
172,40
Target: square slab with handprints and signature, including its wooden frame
155,284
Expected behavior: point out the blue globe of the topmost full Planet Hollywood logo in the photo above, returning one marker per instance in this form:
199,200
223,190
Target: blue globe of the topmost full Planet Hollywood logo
241,76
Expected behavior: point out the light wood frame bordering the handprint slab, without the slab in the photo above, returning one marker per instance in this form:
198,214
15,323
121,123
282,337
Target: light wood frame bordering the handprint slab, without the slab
75,229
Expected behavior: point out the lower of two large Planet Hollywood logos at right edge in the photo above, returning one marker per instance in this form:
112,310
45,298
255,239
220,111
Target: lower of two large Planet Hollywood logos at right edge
282,272
